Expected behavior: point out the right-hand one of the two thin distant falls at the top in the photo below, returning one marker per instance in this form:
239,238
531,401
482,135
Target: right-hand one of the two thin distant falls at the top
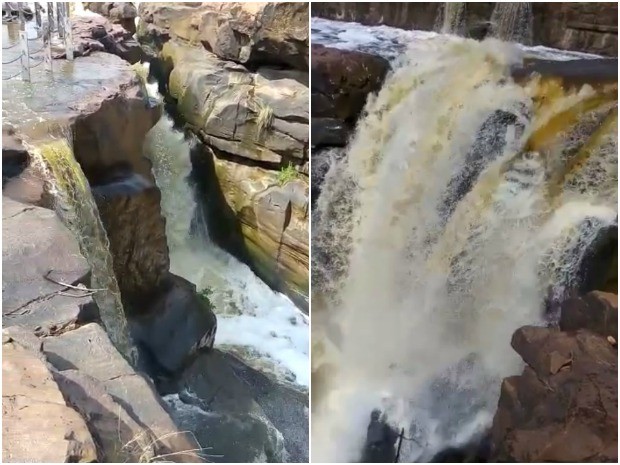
513,21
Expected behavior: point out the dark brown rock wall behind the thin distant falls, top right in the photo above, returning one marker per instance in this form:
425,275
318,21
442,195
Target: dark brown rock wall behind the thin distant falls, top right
582,26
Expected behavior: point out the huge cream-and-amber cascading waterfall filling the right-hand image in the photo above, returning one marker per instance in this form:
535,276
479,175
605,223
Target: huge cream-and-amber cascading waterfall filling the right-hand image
464,198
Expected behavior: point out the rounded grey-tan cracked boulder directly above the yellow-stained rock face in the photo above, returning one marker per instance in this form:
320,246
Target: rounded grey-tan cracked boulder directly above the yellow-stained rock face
262,116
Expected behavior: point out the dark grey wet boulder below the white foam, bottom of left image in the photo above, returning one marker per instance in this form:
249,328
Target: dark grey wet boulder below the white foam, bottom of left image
241,414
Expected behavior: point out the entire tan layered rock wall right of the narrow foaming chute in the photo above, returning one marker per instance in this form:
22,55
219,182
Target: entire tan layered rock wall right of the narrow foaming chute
237,74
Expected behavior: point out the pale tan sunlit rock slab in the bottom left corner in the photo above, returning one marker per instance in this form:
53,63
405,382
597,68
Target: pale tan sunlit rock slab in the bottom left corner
37,425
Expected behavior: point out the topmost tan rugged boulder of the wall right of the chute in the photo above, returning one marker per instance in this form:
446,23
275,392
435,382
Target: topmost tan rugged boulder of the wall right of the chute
254,34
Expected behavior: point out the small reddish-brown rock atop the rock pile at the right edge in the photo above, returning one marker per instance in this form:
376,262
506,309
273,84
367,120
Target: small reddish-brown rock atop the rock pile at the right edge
596,311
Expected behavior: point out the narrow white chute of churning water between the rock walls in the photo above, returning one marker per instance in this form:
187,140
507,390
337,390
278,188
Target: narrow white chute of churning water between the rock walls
262,326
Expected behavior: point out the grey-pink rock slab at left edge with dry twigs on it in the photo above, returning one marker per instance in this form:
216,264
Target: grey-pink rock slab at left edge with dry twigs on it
36,242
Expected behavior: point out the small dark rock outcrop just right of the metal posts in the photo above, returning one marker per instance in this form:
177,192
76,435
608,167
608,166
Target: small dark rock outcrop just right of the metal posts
98,34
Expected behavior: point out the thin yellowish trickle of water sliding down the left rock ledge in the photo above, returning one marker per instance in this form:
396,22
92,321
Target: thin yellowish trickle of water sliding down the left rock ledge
77,208
